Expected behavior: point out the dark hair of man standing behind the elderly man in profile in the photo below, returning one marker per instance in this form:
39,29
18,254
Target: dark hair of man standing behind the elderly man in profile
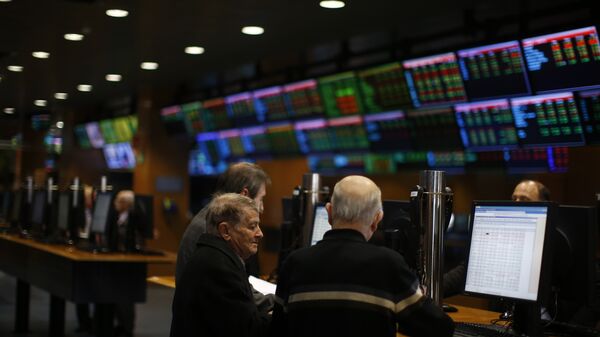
242,175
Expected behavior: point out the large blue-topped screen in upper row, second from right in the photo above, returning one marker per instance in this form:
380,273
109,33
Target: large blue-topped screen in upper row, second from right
493,71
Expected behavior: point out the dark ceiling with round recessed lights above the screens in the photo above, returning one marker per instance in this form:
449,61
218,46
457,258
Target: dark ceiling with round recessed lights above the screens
159,30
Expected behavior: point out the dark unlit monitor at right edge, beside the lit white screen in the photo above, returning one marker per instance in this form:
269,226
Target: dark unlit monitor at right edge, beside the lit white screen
574,277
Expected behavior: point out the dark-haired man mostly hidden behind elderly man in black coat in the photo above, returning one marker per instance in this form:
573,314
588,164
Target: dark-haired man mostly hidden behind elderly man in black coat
246,179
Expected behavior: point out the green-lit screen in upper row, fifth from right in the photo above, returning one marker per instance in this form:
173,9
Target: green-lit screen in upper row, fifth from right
340,95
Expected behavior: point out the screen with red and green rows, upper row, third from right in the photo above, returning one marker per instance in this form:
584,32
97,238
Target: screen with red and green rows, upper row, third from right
434,80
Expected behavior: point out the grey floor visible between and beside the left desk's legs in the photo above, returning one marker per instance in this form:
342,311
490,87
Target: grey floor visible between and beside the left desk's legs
153,318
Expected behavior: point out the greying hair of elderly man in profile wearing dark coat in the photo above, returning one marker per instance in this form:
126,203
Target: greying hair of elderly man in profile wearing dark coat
228,207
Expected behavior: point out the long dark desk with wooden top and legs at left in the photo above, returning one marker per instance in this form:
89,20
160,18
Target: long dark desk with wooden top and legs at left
73,275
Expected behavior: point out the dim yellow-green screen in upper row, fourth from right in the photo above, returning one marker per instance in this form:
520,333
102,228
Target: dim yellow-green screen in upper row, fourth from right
384,88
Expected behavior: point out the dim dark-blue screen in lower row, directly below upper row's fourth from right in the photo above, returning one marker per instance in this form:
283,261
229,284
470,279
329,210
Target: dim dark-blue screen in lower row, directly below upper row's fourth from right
387,131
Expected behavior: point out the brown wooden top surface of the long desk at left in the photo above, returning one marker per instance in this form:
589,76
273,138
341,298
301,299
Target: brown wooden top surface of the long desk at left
70,252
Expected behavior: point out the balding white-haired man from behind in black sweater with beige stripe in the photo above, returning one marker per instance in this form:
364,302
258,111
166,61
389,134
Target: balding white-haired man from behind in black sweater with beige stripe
344,286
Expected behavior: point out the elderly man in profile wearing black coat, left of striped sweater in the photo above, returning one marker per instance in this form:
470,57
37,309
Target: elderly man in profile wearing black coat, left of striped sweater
213,296
